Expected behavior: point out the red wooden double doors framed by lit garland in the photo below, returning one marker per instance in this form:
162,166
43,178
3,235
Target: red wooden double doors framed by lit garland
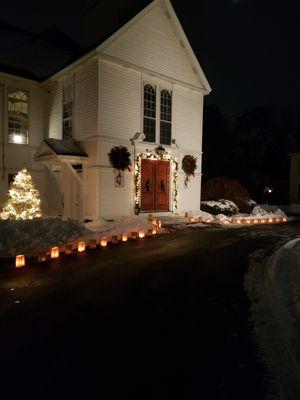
155,185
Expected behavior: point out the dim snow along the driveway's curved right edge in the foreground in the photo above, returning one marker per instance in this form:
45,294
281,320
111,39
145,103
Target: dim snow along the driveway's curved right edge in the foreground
274,291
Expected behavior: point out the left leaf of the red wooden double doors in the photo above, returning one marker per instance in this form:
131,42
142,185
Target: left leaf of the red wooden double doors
147,185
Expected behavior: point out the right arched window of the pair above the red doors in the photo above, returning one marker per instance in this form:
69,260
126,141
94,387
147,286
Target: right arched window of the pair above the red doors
165,117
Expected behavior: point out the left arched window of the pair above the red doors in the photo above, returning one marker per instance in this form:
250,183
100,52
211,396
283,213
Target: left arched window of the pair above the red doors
149,112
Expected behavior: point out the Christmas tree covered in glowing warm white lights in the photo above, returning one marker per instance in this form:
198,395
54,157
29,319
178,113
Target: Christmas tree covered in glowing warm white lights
23,199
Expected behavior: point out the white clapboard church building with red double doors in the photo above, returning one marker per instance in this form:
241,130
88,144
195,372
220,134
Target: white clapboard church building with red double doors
142,88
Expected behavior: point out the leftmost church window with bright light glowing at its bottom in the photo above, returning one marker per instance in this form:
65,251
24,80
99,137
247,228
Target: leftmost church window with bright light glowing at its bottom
18,116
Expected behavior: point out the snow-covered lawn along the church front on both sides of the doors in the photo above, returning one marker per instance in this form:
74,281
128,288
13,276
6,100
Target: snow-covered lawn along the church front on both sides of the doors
37,236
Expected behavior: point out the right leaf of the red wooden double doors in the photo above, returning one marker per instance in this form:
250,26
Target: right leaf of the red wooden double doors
162,186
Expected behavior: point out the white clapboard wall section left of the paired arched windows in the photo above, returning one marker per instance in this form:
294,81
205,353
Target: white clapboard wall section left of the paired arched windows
120,101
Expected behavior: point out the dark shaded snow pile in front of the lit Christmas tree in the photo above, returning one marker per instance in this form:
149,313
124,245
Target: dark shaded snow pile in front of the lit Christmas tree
31,237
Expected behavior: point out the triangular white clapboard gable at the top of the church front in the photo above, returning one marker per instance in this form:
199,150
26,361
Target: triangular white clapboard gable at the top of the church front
152,43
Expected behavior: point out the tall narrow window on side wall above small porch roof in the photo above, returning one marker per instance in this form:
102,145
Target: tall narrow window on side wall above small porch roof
68,103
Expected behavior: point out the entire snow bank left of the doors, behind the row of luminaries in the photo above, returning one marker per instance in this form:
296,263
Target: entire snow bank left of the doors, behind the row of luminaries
37,236
